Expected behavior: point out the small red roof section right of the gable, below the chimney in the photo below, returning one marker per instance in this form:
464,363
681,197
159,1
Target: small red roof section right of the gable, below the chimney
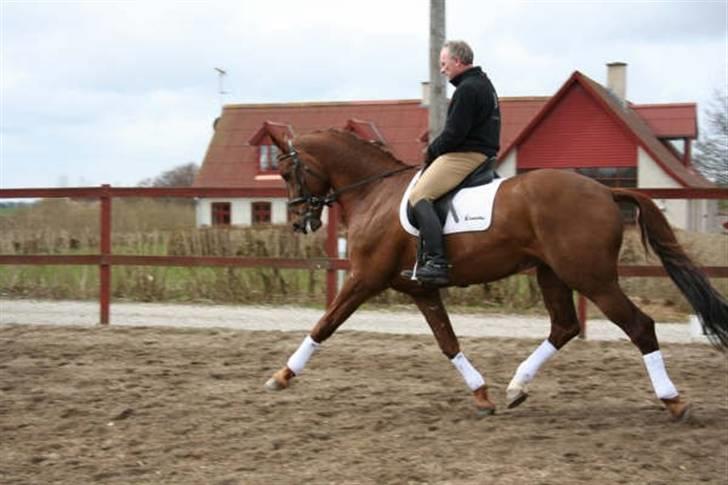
677,120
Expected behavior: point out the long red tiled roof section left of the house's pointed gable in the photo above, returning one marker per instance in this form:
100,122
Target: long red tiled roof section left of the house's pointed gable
231,156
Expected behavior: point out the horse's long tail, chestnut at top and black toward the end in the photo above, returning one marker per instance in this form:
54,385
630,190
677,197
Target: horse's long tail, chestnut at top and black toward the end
710,306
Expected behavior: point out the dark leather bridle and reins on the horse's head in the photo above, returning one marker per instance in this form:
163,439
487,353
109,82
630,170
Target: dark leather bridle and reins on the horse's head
315,203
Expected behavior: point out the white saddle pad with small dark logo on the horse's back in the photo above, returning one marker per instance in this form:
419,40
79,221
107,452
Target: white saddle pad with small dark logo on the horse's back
474,207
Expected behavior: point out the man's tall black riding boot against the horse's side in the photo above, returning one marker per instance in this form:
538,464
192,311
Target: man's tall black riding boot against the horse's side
432,268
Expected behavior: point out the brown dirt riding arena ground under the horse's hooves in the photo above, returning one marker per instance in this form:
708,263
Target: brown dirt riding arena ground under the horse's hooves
187,406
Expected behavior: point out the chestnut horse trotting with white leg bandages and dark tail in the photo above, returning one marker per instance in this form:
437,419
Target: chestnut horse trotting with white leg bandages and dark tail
566,226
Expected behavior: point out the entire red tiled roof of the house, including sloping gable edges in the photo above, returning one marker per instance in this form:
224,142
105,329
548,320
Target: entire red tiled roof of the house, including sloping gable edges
231,159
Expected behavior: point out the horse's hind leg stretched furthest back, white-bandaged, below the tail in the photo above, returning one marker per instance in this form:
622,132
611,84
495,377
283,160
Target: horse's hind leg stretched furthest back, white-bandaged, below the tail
640,328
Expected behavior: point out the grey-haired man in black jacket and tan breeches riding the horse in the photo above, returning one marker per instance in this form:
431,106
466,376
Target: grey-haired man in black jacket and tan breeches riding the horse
470,137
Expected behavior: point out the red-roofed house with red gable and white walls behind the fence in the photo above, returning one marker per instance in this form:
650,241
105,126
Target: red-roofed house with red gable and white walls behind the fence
584,127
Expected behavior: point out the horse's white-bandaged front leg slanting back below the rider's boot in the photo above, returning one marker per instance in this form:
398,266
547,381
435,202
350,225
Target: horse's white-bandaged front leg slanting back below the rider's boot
431,306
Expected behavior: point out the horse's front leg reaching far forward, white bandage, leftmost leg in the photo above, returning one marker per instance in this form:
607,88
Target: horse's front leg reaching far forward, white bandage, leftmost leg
353,293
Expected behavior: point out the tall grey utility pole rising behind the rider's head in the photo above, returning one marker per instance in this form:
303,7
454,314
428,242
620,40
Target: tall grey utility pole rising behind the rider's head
438,86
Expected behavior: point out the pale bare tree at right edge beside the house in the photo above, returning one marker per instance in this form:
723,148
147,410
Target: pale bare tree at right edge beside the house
711,156
